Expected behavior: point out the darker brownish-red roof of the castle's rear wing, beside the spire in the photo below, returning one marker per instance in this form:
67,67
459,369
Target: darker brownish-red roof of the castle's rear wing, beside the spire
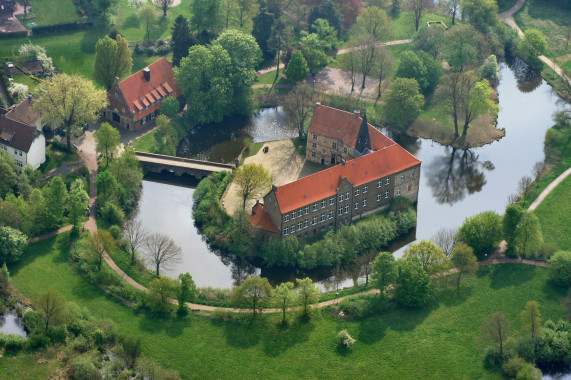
344,126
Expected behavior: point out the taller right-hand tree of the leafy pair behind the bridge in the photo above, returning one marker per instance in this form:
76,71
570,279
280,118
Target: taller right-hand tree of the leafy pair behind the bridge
245,55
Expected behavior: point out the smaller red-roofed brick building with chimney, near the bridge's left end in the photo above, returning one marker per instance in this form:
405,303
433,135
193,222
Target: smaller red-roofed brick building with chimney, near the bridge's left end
137,100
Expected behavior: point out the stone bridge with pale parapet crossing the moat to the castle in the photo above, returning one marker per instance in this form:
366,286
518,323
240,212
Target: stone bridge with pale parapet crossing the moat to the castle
158,163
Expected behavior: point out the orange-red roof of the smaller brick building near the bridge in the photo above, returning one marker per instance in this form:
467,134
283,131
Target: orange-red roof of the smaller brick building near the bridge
137,89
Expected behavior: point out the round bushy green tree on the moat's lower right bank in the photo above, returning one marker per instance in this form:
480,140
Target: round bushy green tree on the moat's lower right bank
481,232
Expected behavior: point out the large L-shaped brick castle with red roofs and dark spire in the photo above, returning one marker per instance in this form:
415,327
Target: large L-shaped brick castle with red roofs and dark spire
369,170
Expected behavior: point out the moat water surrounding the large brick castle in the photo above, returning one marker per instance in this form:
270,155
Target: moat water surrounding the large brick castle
454,184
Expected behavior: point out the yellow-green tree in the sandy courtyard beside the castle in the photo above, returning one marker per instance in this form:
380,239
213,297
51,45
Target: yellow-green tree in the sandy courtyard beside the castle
253,180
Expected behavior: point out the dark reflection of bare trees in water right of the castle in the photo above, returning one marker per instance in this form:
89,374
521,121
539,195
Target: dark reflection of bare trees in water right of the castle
456,174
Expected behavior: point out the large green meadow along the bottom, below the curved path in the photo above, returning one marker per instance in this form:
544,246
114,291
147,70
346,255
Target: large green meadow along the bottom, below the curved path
439,341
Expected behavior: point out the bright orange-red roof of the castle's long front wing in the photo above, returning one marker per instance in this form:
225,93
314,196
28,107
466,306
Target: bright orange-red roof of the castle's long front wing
381,163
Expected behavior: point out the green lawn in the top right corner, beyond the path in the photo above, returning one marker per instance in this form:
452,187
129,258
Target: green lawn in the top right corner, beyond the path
552,19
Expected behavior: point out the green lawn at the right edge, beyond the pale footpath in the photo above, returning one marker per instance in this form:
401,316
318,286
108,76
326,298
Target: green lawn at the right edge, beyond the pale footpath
554,213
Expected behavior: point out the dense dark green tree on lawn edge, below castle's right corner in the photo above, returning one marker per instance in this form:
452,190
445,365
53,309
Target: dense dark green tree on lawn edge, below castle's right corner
412,284
